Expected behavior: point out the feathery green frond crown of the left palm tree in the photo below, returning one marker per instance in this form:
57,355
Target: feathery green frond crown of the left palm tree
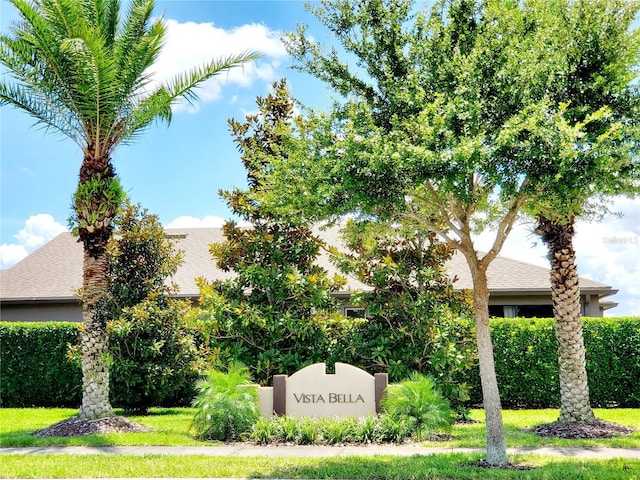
75,68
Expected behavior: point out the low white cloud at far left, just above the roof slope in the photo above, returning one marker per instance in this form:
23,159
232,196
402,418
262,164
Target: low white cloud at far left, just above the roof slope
38,230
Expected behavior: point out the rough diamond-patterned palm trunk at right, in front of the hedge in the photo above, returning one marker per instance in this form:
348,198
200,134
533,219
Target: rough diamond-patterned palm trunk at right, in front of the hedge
565,292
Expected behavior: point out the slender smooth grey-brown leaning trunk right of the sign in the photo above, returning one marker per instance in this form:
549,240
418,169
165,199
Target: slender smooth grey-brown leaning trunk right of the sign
496,449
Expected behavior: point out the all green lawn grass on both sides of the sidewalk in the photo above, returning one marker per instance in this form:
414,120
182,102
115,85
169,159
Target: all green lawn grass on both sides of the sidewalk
171,427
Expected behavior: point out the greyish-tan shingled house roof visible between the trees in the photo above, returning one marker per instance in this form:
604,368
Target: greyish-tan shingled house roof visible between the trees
54,272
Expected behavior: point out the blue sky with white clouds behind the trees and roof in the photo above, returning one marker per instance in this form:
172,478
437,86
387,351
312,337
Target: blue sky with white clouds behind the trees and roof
176,171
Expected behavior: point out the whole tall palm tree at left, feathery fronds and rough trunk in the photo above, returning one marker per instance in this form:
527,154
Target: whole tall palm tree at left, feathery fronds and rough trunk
81,71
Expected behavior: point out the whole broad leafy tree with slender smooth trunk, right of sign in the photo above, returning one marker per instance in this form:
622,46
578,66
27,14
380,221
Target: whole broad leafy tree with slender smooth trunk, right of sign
448,117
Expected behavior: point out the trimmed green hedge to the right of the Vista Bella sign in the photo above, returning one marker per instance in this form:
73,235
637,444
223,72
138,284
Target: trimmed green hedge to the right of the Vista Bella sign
526,360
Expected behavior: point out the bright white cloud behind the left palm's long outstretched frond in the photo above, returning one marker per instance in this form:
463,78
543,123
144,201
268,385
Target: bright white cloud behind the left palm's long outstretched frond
192,44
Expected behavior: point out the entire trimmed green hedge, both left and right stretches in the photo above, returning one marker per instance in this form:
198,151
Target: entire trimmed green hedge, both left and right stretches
34,370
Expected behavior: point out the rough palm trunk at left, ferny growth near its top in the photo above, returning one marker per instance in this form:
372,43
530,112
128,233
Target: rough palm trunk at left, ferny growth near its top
94,230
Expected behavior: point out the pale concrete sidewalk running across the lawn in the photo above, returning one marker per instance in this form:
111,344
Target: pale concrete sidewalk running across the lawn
247,450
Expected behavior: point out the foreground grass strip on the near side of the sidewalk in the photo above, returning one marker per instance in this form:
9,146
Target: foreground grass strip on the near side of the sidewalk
450,466
